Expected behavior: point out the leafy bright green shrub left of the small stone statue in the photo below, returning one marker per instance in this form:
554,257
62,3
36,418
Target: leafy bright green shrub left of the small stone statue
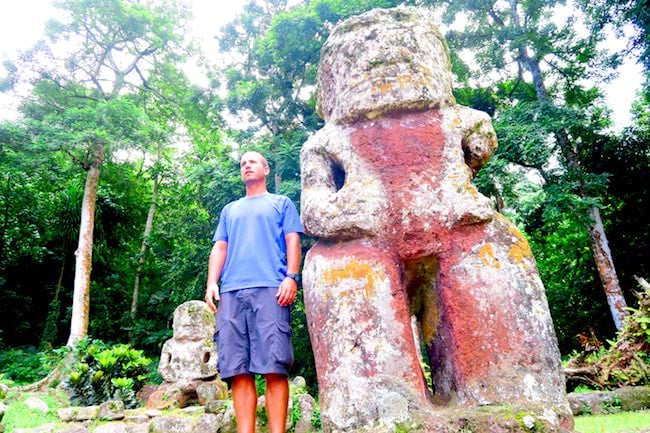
102,373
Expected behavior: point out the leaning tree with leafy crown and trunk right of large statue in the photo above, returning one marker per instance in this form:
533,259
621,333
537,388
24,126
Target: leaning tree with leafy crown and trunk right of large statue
547,116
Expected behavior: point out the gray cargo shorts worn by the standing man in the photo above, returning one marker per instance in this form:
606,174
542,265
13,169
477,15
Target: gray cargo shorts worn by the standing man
253,333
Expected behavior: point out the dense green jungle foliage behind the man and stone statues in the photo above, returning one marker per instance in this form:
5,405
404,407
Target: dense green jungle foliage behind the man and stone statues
117,146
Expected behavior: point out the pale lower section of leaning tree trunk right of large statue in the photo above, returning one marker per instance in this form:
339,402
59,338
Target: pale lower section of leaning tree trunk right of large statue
606,269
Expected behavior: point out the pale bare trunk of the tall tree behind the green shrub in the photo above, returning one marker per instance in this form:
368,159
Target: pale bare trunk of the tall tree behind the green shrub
83,263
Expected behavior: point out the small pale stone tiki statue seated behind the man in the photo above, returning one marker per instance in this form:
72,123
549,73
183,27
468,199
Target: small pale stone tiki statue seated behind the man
188,361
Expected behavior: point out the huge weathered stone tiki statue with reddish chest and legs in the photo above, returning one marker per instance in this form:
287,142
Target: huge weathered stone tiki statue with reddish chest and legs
402,233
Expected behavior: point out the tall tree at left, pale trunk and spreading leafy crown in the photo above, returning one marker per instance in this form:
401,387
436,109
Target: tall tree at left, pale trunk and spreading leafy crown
87,75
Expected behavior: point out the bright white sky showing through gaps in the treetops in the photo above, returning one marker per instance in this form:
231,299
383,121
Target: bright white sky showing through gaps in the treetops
22,23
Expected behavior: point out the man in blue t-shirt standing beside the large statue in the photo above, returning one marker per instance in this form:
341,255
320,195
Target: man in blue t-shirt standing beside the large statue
257,255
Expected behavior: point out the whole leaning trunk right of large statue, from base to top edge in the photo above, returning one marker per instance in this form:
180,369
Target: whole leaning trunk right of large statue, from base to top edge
599,244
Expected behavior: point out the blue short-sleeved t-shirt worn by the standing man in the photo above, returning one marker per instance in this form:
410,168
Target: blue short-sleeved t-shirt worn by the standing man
254,228
